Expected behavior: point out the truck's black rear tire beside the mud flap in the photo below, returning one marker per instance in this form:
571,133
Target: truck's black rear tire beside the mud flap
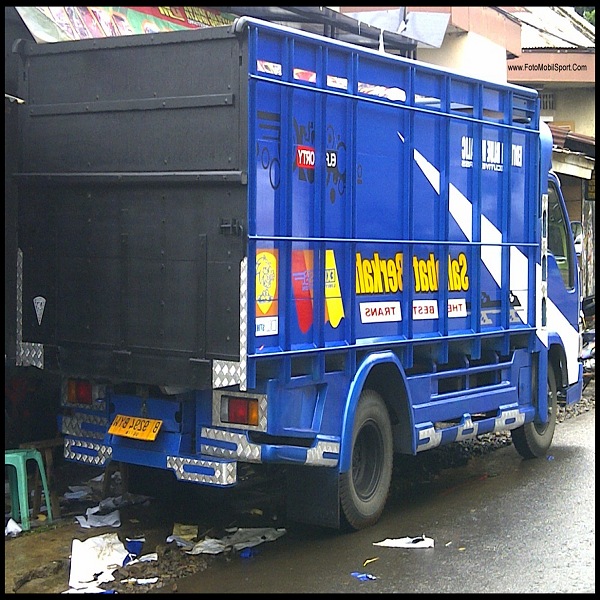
364,488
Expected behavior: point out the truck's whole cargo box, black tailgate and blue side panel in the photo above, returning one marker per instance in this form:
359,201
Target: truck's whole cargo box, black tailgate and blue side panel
155,164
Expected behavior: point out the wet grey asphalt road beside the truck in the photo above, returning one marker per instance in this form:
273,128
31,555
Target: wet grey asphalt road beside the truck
499,525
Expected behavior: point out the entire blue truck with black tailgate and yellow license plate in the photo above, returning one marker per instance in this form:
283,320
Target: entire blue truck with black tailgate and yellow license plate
250,247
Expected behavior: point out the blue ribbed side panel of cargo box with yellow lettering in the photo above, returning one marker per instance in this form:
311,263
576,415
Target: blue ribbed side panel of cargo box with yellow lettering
403,203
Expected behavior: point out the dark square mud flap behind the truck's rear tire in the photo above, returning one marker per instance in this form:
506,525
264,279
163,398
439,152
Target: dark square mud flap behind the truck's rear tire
312,496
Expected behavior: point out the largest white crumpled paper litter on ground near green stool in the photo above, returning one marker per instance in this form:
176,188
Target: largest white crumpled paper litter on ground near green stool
94,560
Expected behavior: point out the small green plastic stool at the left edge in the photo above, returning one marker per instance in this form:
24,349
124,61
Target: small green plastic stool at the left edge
19,485
